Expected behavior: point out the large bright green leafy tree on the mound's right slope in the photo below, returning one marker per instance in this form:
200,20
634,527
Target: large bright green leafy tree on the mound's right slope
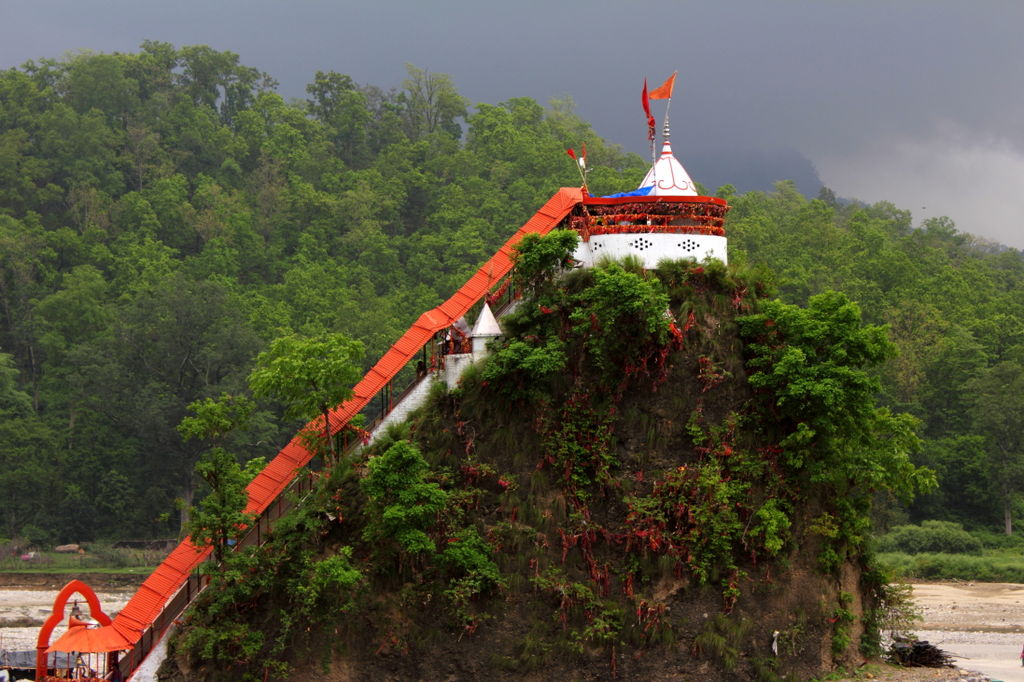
810,369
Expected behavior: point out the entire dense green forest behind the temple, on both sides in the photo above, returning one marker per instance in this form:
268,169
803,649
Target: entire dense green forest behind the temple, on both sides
165,216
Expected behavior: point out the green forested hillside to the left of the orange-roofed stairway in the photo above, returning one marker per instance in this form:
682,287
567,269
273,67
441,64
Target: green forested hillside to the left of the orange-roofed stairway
165,215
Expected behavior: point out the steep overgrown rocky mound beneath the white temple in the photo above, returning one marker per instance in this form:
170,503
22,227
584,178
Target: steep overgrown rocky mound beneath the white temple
617,493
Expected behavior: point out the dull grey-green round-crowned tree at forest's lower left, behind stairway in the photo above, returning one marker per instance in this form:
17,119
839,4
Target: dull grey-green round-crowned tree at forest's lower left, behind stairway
177,340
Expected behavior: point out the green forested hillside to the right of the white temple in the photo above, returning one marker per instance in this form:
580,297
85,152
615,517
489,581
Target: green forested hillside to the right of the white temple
953,312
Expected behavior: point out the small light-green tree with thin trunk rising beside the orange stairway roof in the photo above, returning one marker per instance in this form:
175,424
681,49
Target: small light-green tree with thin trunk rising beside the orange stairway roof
311,375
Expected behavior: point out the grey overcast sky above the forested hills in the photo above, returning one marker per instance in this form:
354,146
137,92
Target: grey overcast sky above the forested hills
920,103
